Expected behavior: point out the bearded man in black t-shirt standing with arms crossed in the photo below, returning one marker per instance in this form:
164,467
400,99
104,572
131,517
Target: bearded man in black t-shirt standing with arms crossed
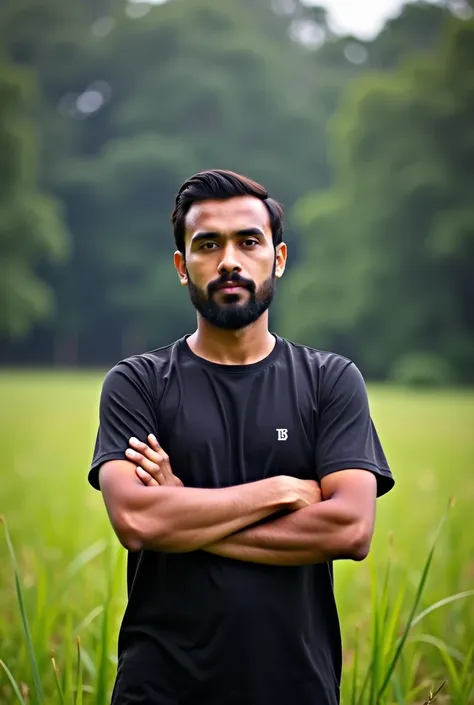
235,467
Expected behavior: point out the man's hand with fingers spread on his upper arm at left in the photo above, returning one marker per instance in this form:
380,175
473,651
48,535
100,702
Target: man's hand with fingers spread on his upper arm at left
153,464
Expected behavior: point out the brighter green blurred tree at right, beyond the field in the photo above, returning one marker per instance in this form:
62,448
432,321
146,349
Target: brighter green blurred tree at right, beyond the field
391,246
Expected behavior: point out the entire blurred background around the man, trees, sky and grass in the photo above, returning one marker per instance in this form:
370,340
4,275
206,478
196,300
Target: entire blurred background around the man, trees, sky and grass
359,118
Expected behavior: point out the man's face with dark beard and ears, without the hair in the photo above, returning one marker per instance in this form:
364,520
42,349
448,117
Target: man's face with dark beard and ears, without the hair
230,265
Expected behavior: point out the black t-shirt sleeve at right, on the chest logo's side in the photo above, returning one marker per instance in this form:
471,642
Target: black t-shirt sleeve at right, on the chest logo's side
346,436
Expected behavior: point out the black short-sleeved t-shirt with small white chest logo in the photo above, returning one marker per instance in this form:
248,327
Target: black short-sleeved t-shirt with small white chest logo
204,630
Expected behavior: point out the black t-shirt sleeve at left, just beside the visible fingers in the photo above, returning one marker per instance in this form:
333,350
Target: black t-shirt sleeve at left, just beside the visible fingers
127,408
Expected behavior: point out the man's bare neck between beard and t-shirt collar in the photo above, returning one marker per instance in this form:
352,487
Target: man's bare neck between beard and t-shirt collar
232,347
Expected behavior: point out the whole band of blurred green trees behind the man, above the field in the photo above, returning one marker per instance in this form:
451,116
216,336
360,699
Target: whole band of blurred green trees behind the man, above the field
132,98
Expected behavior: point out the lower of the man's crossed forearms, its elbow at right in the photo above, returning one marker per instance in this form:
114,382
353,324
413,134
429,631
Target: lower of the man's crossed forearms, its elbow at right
323,532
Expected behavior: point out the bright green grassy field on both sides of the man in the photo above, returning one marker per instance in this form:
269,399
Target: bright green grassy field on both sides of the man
72,574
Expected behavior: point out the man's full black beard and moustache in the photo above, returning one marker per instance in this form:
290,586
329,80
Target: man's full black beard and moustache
232,314
